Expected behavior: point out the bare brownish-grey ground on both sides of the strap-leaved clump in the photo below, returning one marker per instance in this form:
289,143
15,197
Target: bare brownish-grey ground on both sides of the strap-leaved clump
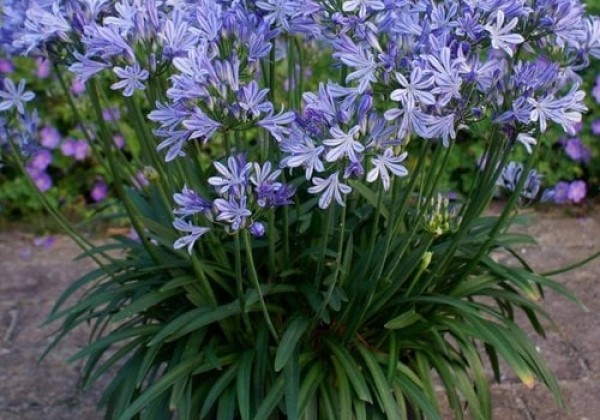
31,278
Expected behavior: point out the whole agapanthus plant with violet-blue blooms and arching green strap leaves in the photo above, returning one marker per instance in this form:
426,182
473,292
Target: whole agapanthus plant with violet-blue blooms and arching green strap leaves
294,256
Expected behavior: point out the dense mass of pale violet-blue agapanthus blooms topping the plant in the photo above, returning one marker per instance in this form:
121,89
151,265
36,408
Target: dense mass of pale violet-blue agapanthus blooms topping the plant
409,69
